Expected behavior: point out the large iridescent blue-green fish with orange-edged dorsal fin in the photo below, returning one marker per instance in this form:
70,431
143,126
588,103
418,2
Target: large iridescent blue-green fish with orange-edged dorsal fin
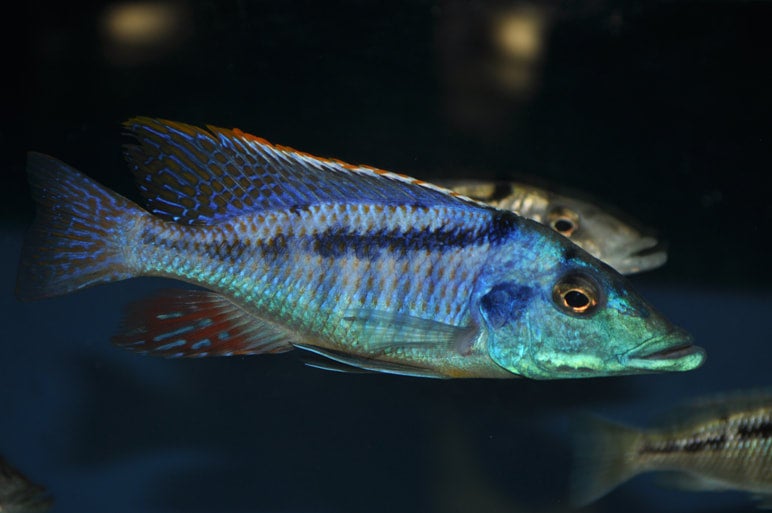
370,269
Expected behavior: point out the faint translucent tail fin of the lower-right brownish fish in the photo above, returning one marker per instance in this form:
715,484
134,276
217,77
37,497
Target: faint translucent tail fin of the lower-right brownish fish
602,458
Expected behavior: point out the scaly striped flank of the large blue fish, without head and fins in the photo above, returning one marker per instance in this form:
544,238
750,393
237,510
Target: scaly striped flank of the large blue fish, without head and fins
314,287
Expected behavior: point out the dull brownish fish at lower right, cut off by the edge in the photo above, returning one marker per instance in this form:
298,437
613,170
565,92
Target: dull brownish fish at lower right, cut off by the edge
721,443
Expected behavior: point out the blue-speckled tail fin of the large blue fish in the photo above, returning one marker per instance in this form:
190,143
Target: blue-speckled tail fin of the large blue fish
75,240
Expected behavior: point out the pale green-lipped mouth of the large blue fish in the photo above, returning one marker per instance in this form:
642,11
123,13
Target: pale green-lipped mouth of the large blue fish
671,352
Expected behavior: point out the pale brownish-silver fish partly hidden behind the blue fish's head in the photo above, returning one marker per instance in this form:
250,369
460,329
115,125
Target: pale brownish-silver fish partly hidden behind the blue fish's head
597,231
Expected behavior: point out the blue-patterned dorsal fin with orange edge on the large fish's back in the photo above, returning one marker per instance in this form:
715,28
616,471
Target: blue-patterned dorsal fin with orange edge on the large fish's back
203,176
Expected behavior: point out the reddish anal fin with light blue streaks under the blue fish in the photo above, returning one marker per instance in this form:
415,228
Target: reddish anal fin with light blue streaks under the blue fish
197,323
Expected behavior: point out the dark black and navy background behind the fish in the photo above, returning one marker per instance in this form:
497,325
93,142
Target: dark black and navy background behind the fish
660,109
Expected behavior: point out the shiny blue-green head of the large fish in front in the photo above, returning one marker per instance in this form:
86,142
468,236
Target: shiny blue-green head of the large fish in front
547,310
